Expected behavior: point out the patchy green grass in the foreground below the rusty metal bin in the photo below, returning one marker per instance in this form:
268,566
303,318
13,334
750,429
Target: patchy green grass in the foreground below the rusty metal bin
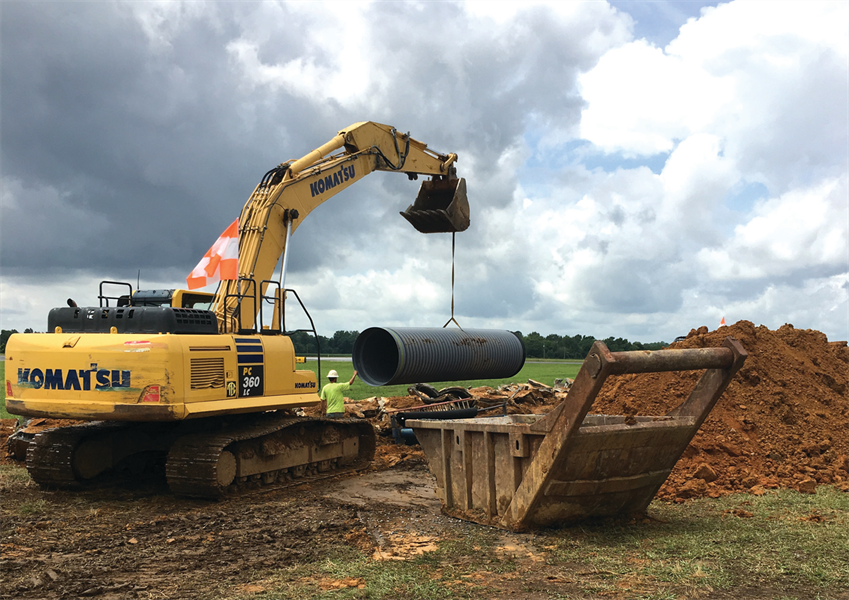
684,550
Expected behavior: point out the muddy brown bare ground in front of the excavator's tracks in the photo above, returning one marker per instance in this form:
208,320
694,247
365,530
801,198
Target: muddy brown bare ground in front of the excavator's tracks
136,540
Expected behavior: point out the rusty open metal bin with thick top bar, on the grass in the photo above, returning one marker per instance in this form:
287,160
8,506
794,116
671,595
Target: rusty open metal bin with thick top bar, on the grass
521,472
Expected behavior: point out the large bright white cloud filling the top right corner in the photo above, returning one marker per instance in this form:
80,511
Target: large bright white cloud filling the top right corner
740,72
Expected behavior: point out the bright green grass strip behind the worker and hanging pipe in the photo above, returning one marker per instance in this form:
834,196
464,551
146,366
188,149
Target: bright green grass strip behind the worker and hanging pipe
545,372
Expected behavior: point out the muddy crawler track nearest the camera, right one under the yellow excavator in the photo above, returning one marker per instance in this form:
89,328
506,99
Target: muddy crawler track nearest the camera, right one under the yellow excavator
264,453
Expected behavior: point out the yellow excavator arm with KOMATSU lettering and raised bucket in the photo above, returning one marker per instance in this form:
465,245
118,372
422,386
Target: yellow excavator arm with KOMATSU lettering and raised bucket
290,191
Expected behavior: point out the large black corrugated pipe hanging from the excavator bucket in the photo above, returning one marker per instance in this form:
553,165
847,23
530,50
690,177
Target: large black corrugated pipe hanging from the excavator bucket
389,356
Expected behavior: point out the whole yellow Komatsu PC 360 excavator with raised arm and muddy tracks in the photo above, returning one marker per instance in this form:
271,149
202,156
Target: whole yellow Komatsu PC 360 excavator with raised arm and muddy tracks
159,379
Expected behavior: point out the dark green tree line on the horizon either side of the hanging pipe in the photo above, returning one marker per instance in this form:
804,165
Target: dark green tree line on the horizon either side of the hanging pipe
536,346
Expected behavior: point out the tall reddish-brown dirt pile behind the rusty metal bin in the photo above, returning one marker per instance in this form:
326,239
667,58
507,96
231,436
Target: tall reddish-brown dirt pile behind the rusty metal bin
782,422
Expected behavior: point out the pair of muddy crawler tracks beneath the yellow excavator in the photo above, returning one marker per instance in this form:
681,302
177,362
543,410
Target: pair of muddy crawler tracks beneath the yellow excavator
208,458
